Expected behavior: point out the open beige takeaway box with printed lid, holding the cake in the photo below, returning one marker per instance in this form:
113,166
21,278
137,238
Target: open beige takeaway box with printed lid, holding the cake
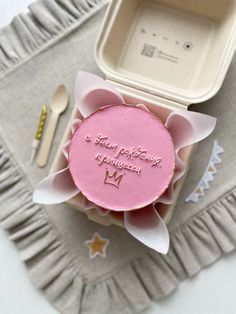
166,54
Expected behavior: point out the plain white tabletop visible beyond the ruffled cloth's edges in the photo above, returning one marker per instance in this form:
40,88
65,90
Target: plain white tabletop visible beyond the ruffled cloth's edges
210,292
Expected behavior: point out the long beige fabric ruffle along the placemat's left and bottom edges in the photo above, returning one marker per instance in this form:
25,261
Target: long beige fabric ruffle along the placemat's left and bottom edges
198,243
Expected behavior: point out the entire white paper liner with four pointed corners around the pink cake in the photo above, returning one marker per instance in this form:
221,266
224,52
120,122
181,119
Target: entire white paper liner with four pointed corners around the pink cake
186,128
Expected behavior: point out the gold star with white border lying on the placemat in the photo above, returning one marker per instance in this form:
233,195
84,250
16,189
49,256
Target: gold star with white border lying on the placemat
97,246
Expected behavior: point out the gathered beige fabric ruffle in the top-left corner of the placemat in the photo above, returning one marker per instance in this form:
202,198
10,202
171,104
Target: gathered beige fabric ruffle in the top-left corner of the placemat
45,22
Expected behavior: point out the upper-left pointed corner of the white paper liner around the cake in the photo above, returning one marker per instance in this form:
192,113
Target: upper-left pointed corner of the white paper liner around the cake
92,92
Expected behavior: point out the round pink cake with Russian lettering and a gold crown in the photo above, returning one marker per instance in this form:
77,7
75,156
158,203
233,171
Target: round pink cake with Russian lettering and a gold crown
121,157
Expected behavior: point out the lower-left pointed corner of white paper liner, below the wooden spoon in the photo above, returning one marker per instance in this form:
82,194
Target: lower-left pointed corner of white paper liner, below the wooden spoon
56,188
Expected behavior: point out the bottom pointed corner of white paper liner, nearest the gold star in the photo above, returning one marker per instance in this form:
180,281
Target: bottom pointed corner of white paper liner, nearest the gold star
147,226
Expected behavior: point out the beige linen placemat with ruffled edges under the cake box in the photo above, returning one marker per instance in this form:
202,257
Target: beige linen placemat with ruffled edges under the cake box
38,51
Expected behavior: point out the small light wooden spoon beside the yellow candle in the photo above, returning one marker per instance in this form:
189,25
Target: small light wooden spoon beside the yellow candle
58,106
